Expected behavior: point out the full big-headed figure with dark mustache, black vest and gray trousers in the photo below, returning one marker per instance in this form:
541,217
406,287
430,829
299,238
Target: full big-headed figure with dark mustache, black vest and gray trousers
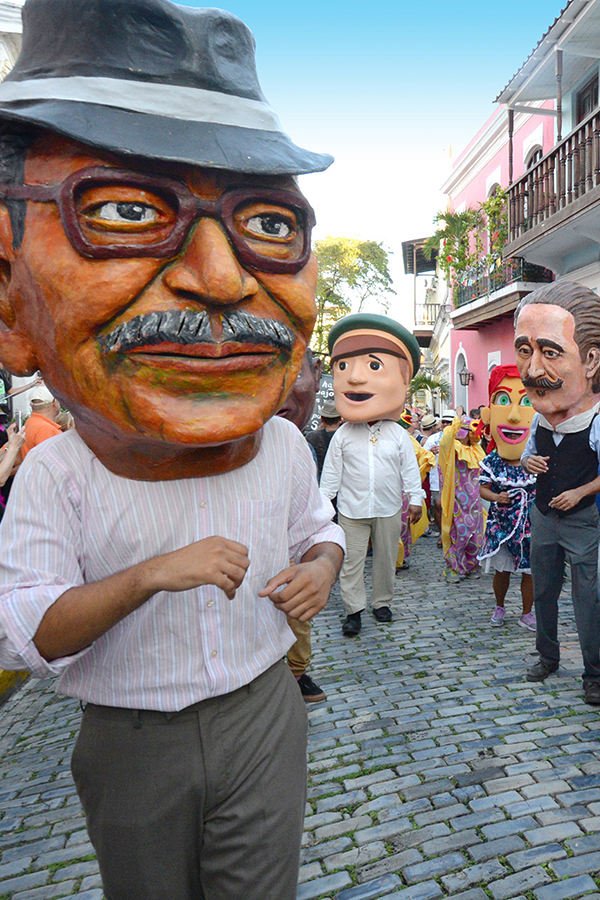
557,345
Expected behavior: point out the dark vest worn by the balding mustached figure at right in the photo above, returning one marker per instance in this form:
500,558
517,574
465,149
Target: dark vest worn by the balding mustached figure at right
570,465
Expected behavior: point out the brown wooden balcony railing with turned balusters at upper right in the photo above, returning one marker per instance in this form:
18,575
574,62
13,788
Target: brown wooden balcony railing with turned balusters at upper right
568,172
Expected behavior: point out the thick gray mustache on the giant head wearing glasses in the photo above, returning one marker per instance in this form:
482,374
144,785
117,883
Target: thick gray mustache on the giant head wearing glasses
189,326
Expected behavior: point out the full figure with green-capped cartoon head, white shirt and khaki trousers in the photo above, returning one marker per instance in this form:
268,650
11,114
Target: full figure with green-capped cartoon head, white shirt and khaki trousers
371,460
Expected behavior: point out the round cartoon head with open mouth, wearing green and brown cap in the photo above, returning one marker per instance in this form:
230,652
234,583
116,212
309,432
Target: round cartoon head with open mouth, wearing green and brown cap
373,359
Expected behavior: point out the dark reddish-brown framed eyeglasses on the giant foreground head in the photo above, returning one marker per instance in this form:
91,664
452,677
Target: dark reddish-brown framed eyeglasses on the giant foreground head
120,214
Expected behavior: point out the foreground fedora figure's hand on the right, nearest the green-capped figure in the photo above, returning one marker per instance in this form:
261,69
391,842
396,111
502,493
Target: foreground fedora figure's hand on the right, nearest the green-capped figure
306,590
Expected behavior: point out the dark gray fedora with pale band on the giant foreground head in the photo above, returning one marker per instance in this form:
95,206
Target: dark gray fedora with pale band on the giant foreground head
151,79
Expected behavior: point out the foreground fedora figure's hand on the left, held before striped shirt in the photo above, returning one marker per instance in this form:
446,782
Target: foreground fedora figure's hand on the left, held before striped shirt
213,560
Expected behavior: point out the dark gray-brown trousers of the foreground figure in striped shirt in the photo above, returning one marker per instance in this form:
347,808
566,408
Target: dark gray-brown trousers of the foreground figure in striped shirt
205,804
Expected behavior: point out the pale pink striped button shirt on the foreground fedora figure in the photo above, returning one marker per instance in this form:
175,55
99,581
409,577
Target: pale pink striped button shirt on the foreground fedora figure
71,522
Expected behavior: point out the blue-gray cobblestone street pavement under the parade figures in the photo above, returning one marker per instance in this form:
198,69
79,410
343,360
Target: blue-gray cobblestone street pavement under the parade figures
436,770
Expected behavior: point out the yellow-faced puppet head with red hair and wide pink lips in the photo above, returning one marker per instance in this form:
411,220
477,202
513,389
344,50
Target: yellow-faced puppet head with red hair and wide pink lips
509,413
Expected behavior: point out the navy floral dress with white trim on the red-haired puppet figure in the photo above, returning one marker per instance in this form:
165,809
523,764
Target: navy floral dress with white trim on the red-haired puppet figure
508,530
